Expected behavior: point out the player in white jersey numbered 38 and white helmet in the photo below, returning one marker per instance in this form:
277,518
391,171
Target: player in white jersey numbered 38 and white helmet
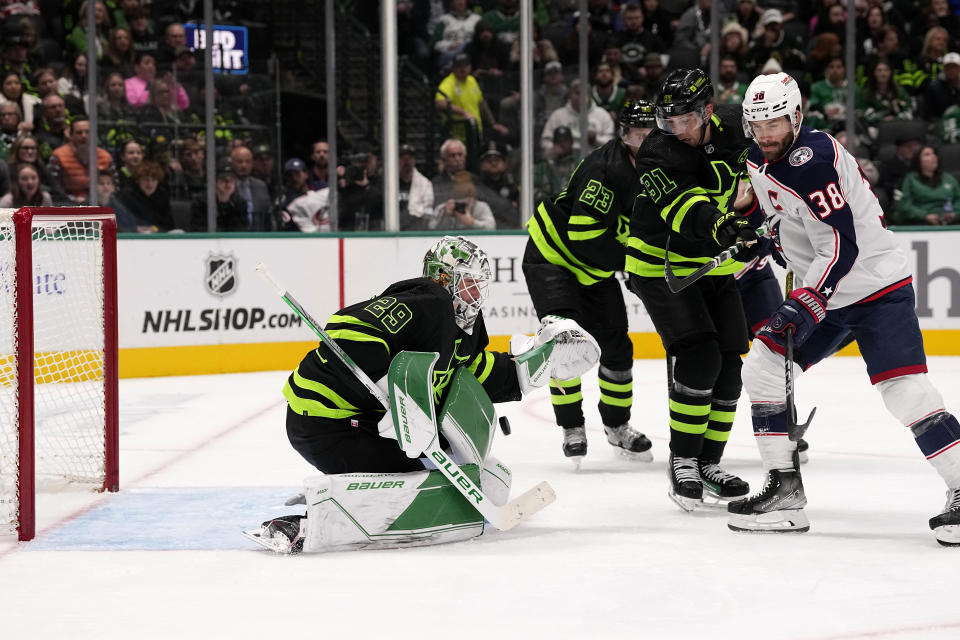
828,227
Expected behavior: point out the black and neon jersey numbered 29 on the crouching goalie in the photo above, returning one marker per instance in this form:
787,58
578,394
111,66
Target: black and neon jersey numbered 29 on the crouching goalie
411,315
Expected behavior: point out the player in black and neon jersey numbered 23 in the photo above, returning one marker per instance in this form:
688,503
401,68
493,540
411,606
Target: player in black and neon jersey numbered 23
577,244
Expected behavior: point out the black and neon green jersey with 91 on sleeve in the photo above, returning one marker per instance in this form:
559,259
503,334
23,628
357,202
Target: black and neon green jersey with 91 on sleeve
684,189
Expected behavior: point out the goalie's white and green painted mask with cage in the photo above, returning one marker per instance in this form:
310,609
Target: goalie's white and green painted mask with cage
463,270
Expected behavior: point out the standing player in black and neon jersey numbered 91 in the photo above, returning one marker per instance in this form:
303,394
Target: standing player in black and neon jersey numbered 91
690,167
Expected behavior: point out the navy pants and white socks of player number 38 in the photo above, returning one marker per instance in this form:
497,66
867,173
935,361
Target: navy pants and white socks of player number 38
889,338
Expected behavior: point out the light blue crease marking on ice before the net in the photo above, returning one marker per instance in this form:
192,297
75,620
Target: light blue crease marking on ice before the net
160,519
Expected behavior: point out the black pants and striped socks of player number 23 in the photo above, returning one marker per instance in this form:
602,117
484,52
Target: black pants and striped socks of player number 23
600,310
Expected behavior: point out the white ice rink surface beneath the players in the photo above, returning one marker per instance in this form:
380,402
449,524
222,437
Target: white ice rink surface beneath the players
202,457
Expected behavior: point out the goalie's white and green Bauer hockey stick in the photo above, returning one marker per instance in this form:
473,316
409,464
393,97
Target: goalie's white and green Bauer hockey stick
503,517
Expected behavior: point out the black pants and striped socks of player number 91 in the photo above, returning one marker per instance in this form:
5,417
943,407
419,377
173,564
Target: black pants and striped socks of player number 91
703,331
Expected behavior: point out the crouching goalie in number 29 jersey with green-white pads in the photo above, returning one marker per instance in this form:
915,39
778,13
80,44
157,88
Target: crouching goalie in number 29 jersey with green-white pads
341,428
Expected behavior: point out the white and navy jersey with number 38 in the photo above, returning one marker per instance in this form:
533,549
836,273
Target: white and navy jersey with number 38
826,220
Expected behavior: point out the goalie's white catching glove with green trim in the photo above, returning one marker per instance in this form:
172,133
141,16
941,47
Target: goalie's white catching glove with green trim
560,349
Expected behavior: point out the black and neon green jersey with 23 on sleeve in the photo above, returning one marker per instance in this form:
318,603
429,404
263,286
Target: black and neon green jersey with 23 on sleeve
585,227
